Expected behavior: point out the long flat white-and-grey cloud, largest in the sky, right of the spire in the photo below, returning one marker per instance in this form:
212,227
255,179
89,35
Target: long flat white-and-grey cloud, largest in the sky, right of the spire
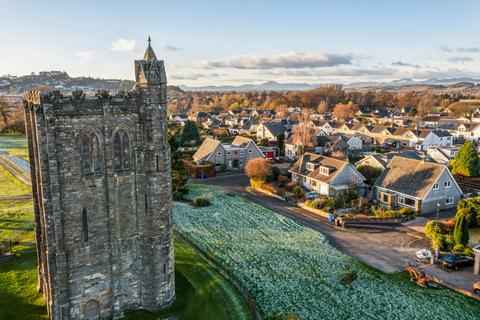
289,60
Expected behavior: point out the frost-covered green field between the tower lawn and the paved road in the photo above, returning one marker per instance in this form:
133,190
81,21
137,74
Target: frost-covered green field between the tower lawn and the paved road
288,268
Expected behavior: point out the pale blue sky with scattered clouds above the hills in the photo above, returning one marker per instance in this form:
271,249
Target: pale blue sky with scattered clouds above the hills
232,42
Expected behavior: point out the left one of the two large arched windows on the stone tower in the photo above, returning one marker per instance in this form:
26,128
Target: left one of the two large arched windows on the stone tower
90,154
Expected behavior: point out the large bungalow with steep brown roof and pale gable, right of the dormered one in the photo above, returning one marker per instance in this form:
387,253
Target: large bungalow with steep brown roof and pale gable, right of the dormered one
416,184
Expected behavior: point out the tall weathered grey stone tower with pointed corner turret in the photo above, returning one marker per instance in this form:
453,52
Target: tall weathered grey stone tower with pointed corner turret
101,183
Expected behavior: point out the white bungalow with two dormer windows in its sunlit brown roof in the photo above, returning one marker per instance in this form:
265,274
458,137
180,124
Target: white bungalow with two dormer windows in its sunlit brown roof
327,176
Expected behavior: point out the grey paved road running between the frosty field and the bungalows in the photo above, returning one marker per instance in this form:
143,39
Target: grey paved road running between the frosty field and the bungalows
386,248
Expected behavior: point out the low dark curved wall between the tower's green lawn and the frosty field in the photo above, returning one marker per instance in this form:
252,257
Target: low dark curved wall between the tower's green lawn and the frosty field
243,291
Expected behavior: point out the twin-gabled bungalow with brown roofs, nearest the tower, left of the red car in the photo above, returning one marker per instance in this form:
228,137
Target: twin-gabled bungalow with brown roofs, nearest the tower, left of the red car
233,156
